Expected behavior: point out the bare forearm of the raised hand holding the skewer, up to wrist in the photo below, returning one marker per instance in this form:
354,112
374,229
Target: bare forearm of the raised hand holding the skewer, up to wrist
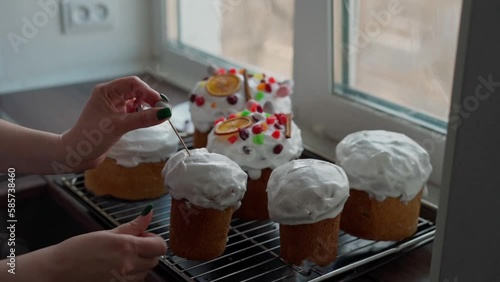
28,150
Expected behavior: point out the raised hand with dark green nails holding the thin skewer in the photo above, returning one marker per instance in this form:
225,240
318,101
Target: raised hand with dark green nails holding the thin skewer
108,114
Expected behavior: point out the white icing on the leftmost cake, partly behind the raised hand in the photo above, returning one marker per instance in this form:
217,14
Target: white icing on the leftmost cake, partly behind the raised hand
145,145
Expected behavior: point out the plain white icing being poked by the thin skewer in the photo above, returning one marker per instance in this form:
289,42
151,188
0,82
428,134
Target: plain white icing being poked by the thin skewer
205,179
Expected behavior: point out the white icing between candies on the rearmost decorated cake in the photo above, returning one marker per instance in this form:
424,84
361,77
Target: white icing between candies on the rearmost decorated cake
213,108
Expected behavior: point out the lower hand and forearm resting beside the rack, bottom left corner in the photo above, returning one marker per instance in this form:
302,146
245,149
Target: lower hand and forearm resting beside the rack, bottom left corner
125,253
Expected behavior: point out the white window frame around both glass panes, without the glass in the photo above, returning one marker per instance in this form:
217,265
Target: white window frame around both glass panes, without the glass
315,98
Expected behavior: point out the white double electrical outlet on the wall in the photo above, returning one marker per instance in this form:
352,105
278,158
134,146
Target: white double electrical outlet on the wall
87,15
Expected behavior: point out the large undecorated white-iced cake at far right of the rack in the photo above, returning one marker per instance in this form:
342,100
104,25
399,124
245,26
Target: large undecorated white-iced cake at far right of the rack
387,172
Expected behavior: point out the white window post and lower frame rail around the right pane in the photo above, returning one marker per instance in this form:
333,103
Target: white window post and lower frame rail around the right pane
313,100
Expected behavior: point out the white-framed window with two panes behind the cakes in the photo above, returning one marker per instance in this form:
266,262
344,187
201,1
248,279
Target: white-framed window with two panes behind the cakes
404,67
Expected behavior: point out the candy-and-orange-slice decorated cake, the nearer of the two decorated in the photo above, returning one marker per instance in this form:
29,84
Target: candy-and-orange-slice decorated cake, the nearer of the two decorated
258,142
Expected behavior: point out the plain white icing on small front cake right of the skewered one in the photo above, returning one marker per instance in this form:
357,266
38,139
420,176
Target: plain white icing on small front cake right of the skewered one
306,191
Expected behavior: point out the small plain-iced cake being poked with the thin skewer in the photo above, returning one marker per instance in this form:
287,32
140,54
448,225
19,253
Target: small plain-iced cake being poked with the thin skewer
206,188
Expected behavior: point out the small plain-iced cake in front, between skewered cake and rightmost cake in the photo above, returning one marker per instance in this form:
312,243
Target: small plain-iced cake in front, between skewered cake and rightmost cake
306,198
